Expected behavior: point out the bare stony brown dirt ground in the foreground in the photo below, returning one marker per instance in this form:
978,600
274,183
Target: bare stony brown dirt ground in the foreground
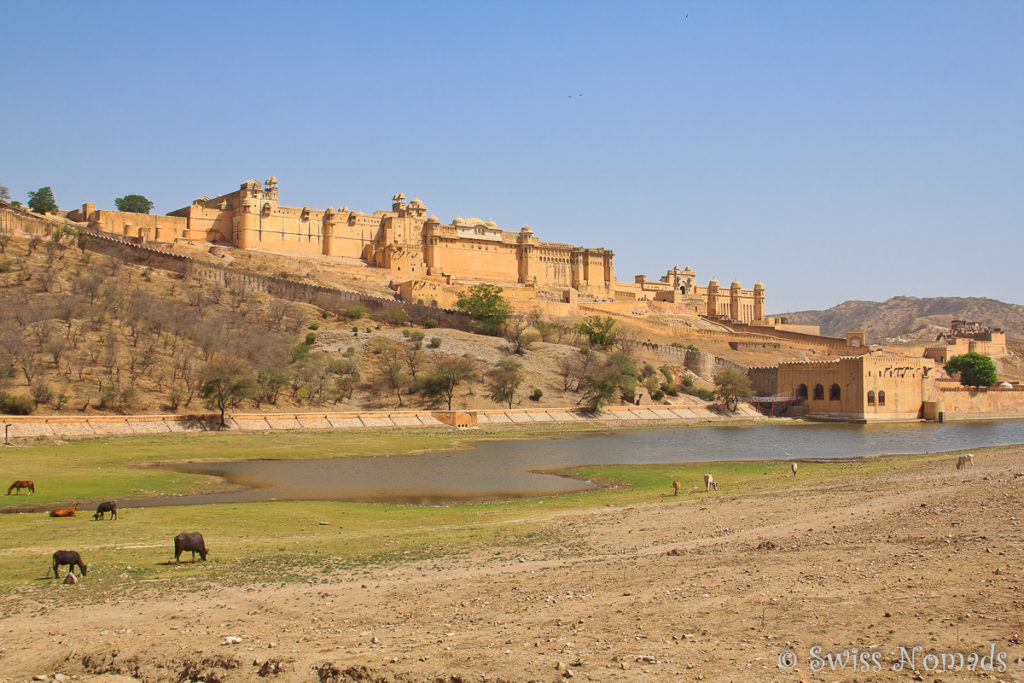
717,589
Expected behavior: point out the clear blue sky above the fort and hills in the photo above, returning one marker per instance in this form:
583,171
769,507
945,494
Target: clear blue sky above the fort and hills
832,150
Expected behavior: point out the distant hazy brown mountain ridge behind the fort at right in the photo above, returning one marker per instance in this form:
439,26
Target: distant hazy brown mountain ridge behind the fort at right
912,318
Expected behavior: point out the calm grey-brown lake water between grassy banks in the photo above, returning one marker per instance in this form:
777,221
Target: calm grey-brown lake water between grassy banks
498,471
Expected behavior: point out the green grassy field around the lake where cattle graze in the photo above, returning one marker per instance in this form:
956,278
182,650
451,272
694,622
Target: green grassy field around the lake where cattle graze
308,541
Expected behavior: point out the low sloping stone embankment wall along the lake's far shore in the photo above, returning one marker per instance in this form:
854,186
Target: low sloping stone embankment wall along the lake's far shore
20,429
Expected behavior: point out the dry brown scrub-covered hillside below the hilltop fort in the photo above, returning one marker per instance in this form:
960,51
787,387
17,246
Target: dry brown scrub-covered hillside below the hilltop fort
89,333
